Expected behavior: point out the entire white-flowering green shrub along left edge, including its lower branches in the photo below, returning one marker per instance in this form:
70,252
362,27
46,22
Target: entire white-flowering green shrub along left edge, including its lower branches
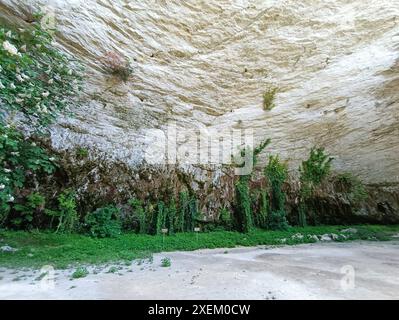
37,83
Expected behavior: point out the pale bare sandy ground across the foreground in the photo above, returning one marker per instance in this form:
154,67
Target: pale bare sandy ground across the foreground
351,270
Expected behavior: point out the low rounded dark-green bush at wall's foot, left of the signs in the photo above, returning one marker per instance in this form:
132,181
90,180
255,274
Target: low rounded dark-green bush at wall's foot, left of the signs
104,222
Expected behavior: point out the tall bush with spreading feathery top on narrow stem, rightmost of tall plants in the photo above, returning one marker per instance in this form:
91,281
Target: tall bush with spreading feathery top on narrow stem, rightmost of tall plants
312,172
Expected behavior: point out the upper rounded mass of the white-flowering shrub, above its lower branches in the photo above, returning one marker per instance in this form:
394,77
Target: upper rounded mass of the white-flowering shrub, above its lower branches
36,78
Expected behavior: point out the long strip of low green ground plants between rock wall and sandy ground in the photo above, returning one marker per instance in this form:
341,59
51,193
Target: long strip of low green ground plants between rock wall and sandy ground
35,249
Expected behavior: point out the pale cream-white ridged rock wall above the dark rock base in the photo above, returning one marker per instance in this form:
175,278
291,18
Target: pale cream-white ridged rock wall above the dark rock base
206,64
